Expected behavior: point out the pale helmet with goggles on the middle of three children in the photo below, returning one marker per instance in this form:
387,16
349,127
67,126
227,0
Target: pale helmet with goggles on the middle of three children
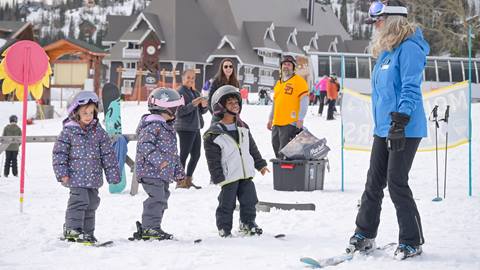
164,100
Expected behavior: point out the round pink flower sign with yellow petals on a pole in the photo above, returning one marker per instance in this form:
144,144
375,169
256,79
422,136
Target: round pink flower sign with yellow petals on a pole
25,63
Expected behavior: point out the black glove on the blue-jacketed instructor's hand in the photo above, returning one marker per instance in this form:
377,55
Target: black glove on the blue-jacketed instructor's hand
396,133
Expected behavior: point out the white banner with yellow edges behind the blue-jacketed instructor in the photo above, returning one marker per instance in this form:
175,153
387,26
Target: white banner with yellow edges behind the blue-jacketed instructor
358,120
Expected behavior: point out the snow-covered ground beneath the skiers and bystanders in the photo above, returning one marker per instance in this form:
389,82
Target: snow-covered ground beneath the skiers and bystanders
30,240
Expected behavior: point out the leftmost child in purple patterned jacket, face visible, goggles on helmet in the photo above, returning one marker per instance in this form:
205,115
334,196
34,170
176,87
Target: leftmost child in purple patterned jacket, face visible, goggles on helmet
80,153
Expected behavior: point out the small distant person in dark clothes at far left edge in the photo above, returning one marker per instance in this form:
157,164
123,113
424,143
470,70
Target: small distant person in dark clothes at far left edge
11,152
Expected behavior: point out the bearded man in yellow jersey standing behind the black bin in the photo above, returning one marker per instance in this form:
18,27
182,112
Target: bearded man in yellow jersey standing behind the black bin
290,105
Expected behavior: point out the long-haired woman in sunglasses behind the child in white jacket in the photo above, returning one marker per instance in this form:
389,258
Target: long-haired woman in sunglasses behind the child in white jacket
226,75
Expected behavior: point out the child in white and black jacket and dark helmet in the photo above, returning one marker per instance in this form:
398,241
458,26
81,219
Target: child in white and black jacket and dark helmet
232,158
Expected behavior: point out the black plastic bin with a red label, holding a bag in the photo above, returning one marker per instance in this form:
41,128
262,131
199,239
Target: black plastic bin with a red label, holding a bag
298,175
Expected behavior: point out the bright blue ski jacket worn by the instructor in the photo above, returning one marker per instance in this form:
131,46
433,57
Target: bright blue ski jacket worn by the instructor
396,81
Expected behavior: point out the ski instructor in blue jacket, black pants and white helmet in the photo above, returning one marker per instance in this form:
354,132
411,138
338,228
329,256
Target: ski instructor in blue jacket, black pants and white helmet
400,124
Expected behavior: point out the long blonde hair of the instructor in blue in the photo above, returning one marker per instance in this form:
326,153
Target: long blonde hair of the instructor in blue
395,30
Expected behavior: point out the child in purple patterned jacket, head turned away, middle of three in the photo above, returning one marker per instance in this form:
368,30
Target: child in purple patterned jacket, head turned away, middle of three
157,160
